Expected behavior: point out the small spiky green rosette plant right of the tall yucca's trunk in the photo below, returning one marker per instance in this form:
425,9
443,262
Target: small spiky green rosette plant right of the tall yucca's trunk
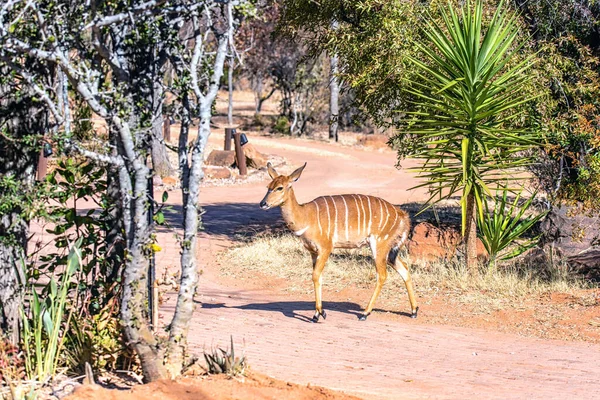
504,226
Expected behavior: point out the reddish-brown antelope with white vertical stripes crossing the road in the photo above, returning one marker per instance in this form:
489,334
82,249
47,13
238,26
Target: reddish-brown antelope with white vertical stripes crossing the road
343,221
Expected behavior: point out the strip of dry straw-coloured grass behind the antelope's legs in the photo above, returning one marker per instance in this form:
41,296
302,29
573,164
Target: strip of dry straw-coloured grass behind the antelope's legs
283,256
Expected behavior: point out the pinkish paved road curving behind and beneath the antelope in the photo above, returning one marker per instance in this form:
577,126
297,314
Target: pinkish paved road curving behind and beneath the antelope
387,358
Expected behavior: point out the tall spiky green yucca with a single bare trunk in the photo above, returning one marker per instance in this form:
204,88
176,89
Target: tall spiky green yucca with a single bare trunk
466,93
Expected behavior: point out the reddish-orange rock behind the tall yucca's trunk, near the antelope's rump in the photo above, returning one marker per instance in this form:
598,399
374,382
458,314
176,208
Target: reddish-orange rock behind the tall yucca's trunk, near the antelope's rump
429,242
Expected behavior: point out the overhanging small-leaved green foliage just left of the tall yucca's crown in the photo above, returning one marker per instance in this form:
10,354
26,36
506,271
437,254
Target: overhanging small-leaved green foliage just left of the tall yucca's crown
371,38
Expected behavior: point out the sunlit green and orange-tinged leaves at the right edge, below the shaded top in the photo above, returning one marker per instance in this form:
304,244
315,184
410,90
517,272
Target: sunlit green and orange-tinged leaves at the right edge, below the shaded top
569,114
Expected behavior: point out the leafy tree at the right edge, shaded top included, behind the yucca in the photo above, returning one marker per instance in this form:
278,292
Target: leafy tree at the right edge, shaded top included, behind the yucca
566,37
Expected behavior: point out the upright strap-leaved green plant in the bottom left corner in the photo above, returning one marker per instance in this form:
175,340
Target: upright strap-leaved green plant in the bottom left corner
44,322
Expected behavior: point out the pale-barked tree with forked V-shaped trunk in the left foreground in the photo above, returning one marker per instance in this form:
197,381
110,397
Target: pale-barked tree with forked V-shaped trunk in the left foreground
108,53
